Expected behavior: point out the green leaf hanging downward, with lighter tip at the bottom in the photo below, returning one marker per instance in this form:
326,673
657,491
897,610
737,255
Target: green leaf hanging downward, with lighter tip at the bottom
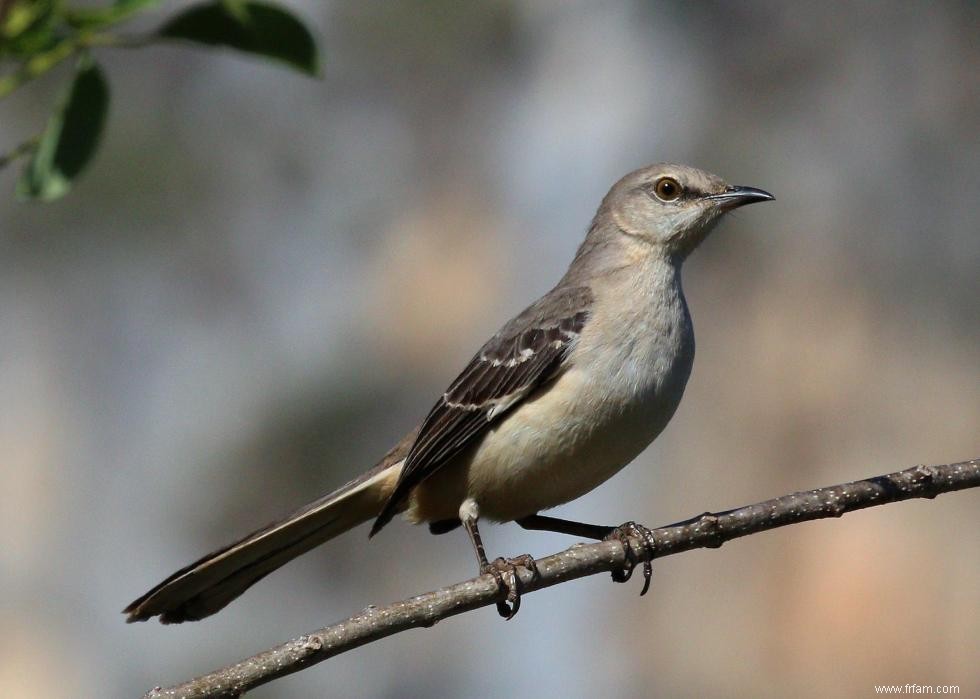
70,138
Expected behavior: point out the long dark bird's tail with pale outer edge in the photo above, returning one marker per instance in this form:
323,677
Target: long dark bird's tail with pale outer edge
207,585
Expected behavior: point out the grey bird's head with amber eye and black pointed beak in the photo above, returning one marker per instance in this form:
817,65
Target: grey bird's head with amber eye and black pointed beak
673,207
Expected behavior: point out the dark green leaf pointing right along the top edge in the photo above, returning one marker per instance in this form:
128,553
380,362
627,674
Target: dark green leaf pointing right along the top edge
253,27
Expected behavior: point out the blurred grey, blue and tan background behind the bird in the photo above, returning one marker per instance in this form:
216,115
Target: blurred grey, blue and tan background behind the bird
264,281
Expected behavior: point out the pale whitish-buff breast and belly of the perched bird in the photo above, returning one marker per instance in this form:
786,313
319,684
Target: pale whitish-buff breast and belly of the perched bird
626,375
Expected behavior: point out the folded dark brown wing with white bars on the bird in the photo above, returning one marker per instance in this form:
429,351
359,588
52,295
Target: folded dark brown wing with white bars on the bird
526,353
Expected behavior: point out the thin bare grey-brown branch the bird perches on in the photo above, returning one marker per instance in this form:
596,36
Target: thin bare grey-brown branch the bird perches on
707,531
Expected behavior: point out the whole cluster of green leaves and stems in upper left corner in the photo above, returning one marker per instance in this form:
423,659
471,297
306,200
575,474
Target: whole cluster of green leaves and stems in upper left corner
38,35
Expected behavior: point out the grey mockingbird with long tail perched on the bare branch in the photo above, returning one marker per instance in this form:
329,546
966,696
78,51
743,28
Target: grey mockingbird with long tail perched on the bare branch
561,398
